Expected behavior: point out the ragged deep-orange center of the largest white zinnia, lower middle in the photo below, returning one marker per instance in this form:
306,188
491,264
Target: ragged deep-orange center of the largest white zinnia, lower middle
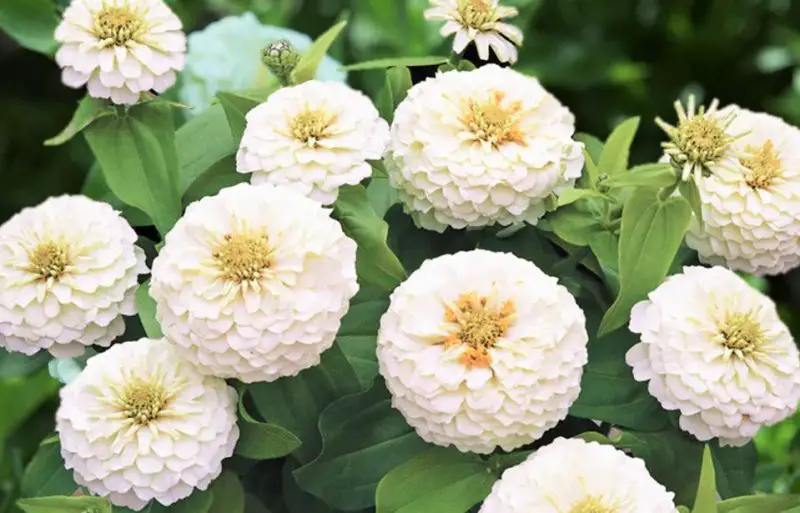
478,326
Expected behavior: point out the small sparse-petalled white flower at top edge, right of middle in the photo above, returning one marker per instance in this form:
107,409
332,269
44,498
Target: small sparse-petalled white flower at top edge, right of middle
478,21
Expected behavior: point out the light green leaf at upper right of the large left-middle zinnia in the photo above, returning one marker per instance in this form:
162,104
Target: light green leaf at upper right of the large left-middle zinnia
375,262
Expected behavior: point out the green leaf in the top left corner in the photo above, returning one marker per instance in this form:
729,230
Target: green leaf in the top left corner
31,23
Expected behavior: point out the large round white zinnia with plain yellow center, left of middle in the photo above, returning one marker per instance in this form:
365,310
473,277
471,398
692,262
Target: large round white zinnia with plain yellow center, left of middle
253,282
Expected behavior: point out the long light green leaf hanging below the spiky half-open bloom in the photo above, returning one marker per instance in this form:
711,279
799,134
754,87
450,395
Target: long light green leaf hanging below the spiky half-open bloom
651,233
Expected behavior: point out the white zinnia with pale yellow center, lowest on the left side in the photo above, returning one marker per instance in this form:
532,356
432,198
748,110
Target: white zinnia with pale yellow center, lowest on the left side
141,423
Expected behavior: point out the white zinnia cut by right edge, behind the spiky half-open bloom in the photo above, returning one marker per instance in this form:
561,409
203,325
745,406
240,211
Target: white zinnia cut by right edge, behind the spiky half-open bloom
751,198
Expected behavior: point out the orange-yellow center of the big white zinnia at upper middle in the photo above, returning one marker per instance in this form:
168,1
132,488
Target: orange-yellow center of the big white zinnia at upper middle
493,122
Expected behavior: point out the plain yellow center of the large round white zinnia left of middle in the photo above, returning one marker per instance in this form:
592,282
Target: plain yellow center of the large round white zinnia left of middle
243,257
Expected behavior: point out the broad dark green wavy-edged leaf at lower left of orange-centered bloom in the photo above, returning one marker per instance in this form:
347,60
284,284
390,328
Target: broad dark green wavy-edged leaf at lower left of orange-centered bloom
363,439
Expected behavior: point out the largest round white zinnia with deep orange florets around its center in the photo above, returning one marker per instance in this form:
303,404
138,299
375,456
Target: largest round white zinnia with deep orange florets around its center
482,349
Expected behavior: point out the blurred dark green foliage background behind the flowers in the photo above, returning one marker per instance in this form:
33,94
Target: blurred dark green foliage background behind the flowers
605,59
